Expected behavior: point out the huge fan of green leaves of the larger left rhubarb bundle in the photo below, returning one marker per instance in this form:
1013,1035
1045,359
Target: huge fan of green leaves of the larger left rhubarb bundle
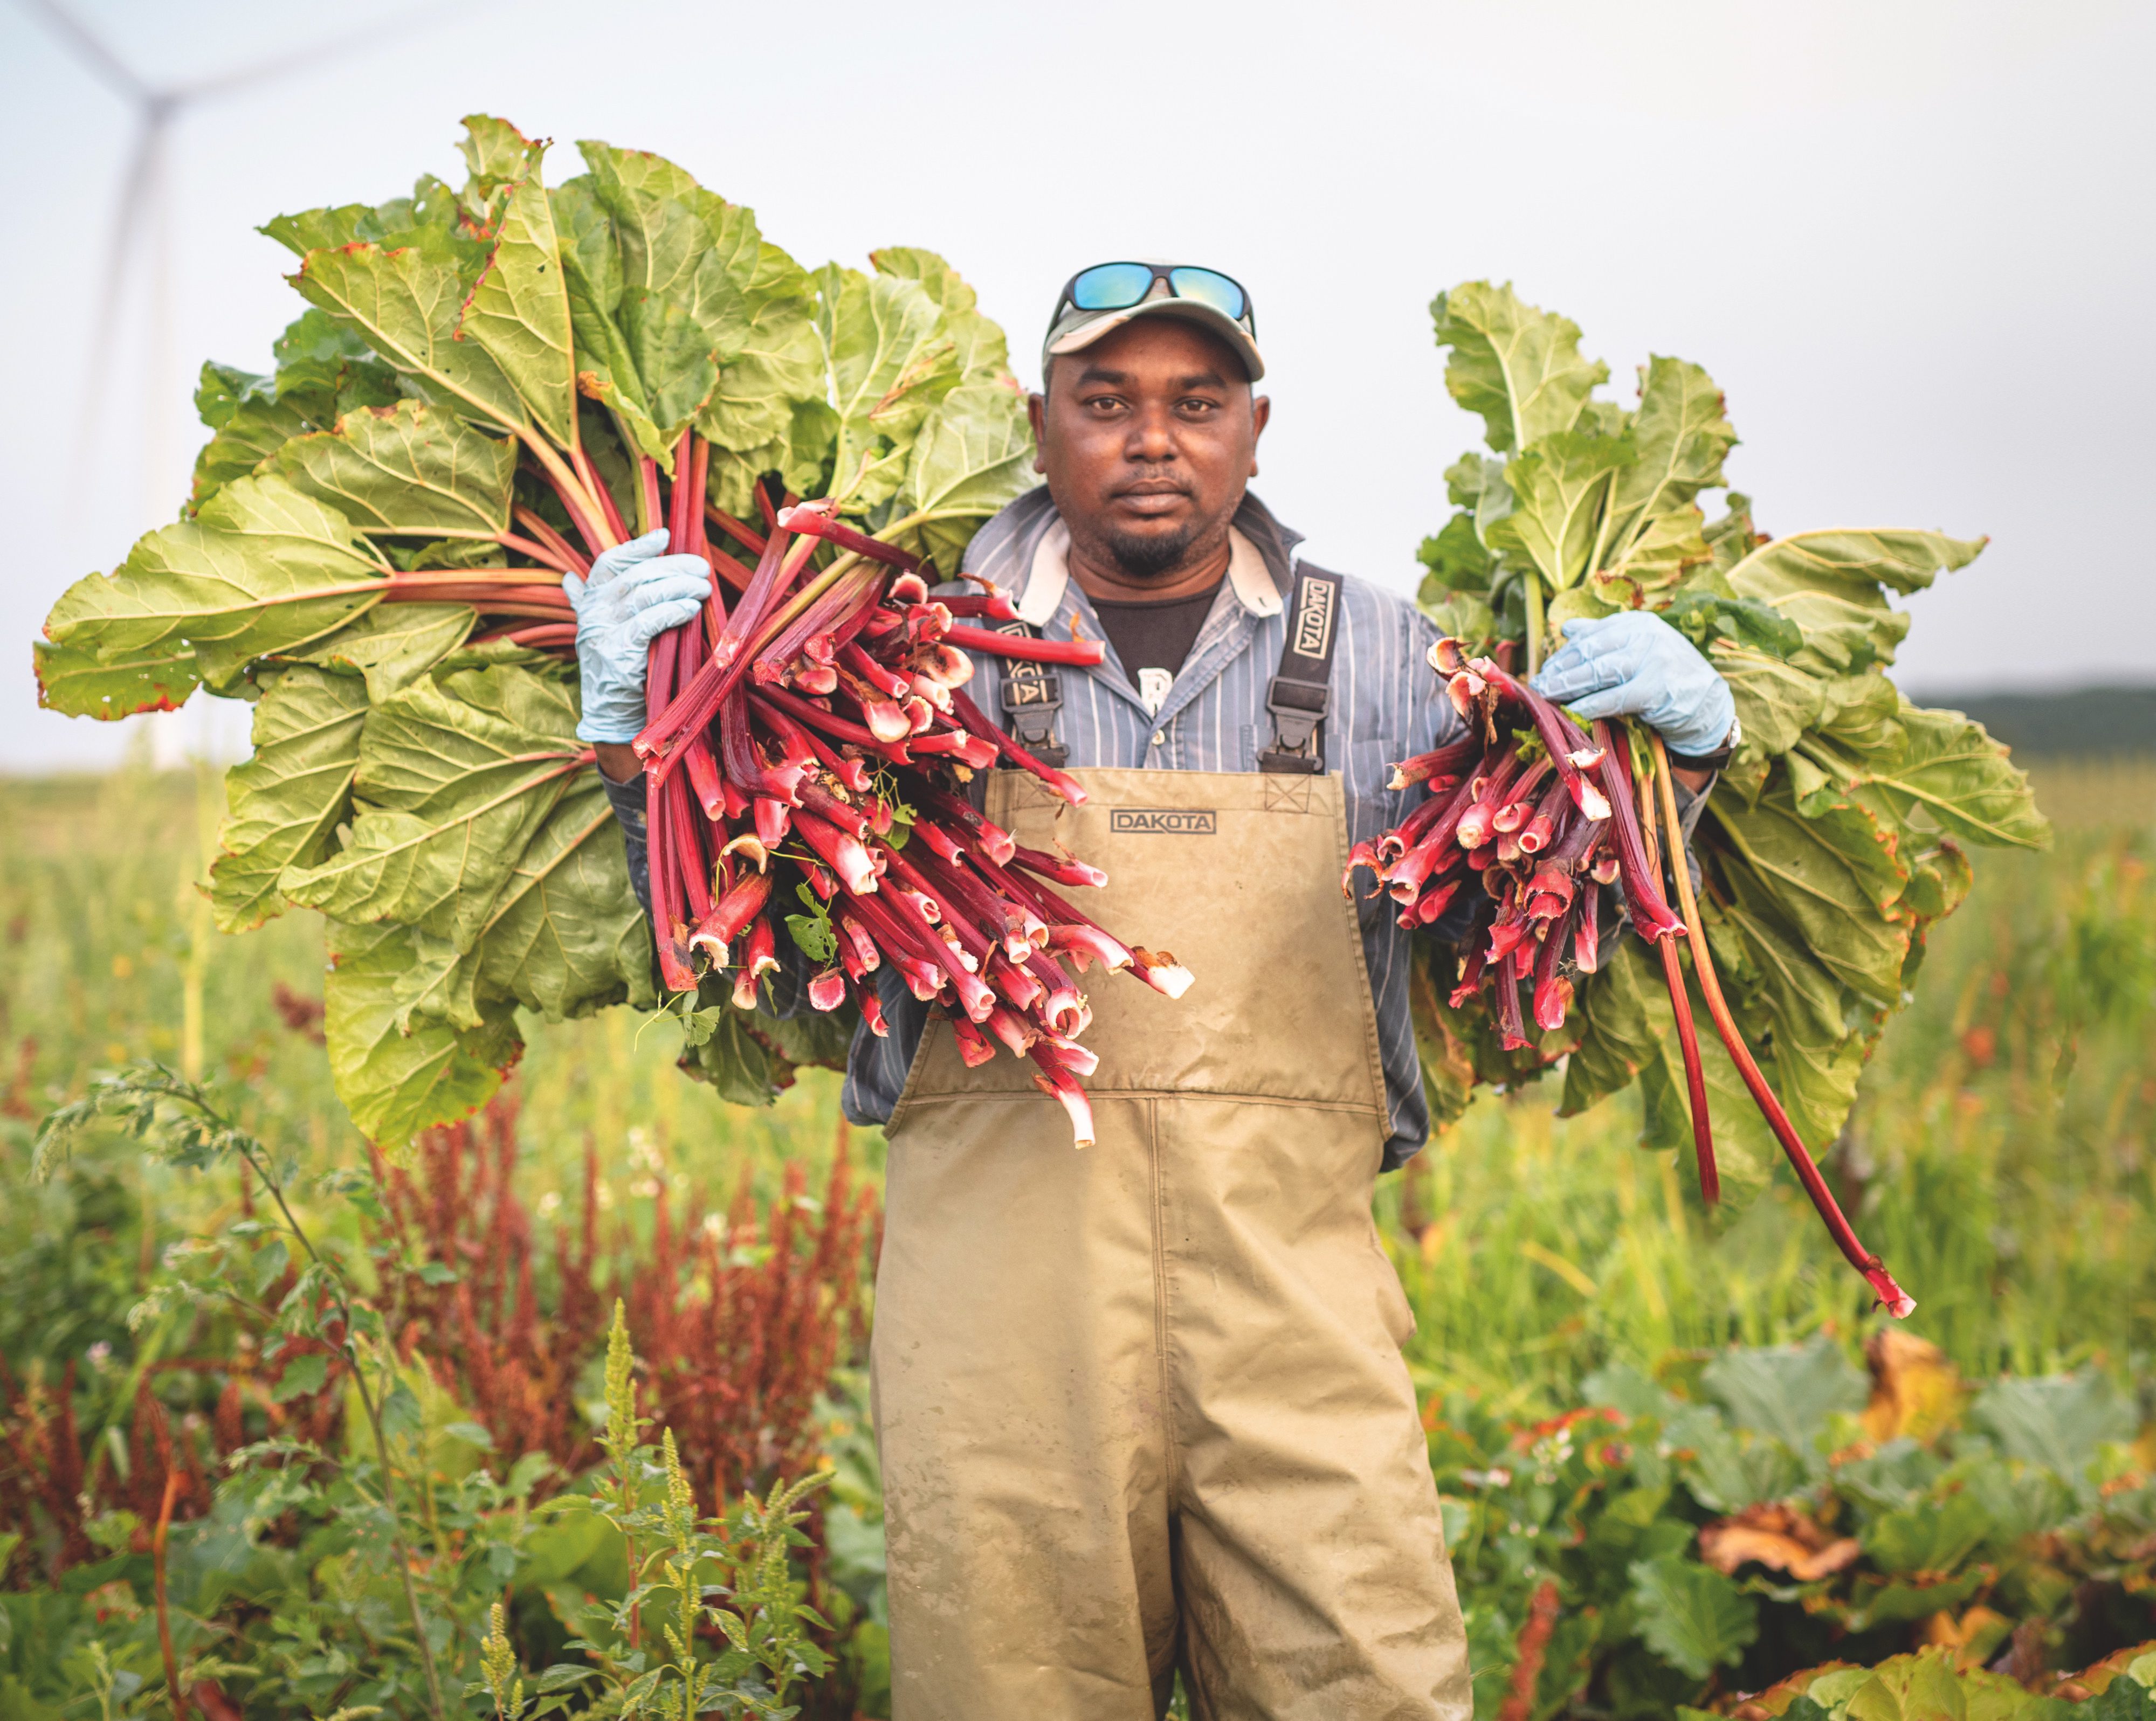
493,385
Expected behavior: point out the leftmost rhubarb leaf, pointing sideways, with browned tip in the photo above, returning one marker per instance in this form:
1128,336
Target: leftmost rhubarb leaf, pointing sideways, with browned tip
262,570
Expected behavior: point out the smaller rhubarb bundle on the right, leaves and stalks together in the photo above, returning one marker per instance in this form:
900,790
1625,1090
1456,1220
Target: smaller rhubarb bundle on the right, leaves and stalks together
1829,846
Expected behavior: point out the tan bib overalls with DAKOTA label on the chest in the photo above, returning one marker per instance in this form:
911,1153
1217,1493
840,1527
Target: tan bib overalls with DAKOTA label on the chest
1146,1403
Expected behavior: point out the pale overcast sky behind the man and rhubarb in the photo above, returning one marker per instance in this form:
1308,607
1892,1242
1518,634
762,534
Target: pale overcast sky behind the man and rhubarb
1913,243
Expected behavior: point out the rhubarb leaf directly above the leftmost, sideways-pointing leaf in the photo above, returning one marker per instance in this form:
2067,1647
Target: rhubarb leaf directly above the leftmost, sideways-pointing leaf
409,469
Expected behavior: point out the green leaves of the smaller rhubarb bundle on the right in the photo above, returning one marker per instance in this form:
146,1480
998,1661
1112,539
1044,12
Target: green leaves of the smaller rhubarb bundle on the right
1834,842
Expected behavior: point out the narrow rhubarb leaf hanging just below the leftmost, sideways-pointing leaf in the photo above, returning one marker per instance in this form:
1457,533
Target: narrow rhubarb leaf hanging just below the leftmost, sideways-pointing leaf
286,803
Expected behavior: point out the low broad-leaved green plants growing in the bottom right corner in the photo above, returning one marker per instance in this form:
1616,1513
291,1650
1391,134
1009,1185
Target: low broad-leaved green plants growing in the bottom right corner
1676,1588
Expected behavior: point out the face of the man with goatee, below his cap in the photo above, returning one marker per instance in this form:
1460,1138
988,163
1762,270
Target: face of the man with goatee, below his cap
1148,441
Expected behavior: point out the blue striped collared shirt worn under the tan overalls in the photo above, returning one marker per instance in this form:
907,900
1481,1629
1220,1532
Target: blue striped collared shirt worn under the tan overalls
1385,706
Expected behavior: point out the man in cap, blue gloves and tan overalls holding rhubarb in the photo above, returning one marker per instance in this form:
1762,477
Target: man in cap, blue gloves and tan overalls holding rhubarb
1144,1407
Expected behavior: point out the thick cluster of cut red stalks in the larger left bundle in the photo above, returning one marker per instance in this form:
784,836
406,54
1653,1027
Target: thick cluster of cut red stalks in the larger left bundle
812,743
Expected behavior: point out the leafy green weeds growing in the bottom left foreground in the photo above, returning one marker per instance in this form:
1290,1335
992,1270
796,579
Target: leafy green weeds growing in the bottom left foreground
368,1573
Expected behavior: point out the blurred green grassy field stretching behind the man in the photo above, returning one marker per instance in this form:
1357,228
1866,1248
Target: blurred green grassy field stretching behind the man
2000,1159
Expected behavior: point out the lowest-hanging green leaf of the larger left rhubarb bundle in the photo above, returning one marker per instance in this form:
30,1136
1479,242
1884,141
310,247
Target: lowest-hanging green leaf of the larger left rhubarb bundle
391,1082
